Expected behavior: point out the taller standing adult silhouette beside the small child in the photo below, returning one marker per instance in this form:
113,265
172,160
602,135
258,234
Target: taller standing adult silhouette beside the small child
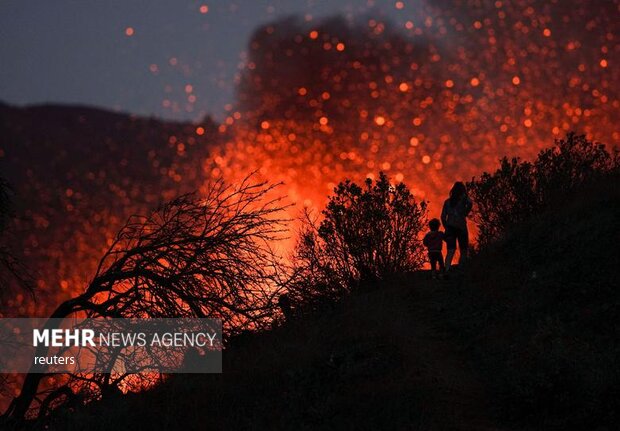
454,219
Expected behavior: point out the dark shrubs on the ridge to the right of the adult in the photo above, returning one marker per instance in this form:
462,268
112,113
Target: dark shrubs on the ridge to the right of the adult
519,190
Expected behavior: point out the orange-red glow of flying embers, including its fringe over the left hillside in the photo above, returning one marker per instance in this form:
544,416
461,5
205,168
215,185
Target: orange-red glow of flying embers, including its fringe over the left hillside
431,115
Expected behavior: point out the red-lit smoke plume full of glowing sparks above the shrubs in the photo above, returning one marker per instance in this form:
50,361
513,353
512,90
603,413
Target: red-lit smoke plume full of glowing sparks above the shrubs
436,101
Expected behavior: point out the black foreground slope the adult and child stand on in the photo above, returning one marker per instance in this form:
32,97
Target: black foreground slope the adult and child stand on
525,339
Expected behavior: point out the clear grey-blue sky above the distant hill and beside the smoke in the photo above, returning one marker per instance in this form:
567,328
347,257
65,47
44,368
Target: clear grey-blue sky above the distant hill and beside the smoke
84,52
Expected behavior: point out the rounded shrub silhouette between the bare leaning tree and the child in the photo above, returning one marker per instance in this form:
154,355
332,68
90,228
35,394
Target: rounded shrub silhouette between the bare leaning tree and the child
367,233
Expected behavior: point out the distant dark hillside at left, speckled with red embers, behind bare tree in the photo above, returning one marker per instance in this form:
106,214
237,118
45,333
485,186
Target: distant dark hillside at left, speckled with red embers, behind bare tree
67,209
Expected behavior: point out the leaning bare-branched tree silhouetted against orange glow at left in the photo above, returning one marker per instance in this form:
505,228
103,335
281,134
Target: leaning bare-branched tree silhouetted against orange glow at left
195,256
